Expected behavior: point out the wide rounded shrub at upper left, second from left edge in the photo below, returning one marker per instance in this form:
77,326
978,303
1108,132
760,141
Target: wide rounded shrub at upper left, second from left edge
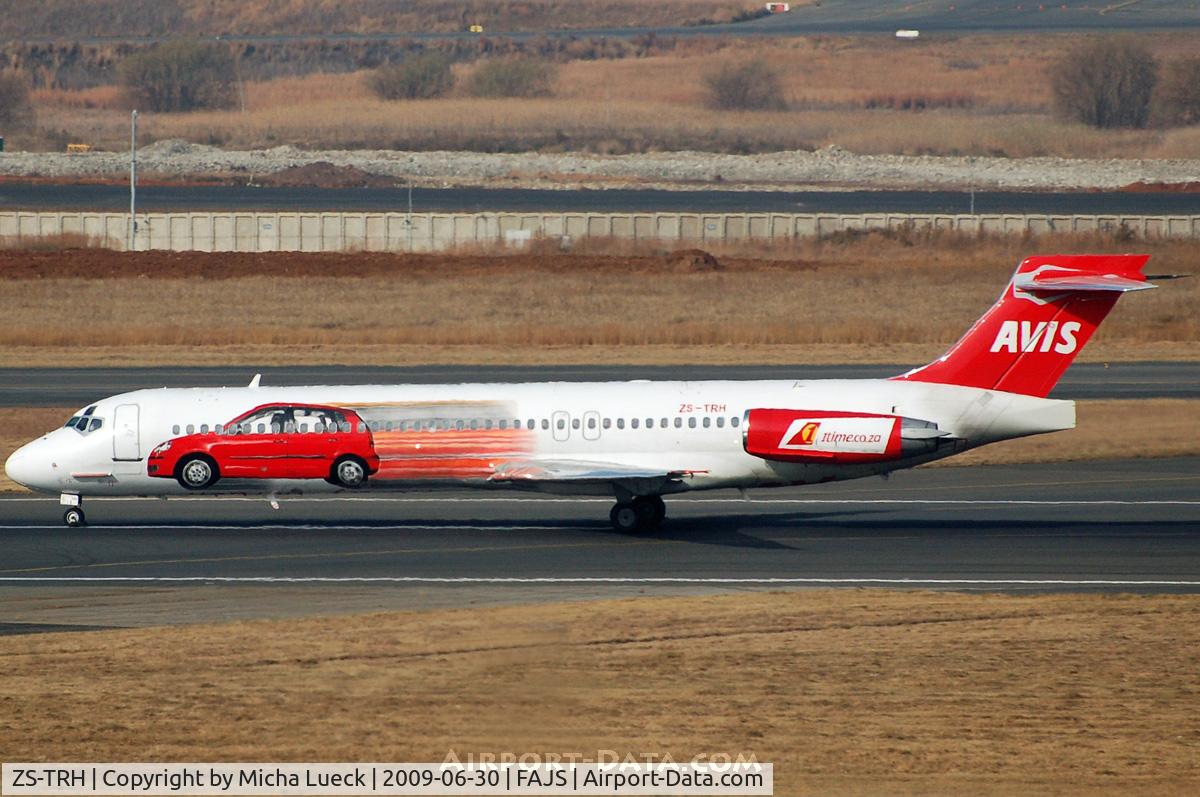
181,76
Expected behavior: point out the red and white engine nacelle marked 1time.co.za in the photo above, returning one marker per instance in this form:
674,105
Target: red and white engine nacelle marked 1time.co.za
832,436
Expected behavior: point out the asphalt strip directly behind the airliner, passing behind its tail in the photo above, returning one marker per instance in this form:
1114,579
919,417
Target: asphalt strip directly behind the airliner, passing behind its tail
73,387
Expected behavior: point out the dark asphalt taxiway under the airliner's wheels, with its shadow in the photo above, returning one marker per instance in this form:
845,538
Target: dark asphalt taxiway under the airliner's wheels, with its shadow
1127,526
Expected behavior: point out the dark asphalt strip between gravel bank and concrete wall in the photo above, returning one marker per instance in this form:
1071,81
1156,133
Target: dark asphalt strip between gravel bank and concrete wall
22,196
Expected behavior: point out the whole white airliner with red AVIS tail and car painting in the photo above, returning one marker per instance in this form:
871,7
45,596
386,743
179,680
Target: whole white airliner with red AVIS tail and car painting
634,441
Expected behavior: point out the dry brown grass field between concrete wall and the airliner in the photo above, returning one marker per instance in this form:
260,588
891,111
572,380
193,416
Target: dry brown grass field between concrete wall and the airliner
861,291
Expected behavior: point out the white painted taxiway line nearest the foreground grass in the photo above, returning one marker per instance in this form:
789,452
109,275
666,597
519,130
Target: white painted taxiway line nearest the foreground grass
585,580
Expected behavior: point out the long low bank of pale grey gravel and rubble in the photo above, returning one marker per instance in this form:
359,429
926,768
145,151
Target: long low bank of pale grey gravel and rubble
827,167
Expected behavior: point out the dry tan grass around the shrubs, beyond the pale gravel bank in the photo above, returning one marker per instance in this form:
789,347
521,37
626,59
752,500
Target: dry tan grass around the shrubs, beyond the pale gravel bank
1001,105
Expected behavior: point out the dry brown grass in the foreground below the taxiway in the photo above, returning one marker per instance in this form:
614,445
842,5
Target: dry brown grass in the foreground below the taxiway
847,693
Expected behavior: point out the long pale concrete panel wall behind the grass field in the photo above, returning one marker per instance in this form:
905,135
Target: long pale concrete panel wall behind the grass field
339,232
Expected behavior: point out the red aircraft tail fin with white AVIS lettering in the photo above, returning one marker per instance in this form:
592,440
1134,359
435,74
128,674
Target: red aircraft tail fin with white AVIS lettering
1033,334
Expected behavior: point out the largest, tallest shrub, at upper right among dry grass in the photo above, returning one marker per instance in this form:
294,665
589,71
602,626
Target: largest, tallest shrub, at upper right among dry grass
1106,83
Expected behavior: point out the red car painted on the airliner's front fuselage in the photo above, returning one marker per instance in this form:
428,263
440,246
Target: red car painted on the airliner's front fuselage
278,441
